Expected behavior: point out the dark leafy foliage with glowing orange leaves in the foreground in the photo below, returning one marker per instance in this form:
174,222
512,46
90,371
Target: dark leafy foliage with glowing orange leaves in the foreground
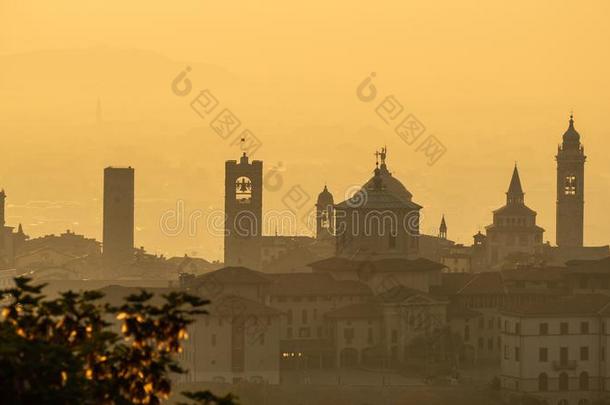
65,350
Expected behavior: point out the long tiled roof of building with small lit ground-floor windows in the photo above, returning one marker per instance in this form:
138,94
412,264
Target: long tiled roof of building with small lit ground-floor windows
310,284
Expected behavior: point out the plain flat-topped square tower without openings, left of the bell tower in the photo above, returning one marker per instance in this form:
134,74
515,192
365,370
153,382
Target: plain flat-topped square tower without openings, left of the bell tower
118,216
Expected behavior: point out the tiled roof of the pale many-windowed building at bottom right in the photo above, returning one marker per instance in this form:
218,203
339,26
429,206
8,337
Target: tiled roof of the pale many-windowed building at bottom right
573,305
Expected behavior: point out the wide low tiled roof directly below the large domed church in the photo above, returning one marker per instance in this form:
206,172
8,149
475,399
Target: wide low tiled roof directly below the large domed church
373,265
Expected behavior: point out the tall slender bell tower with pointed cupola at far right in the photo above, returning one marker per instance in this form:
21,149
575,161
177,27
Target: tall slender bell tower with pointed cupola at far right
570,189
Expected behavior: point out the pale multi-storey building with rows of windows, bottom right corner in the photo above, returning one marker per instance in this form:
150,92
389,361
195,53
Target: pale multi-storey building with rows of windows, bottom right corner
555,352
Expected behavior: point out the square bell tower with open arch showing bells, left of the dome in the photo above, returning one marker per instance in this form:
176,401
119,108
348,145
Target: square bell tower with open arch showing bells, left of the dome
243,212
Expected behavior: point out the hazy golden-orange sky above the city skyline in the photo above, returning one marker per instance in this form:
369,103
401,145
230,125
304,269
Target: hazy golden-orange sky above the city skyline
494,81
